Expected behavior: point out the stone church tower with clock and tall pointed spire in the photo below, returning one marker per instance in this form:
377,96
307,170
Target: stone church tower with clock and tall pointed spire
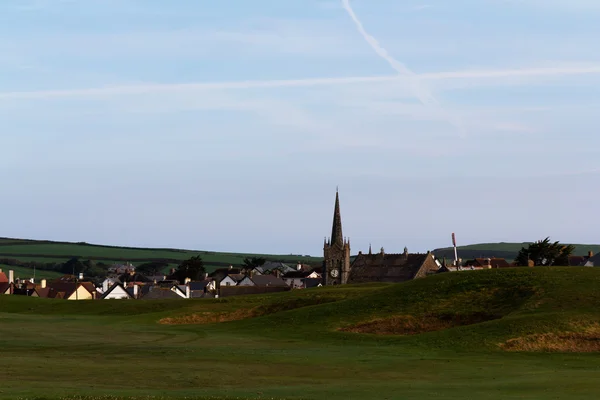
336,251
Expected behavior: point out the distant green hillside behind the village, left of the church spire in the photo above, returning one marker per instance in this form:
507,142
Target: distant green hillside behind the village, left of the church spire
43,251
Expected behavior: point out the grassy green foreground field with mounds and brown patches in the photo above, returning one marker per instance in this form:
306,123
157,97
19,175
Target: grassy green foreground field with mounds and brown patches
529,333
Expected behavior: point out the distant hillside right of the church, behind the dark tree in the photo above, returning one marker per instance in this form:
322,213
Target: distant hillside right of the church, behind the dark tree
501,250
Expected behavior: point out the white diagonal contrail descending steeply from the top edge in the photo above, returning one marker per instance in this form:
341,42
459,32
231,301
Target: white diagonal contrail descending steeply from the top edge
425,96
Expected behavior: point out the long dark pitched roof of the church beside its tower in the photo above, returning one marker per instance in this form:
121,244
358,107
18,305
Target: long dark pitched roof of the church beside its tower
380,267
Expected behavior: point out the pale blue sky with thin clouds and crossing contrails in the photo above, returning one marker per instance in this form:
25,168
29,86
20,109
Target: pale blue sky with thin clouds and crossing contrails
227,125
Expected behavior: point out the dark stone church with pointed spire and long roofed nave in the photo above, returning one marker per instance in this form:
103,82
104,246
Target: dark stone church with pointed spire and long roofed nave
371,267
